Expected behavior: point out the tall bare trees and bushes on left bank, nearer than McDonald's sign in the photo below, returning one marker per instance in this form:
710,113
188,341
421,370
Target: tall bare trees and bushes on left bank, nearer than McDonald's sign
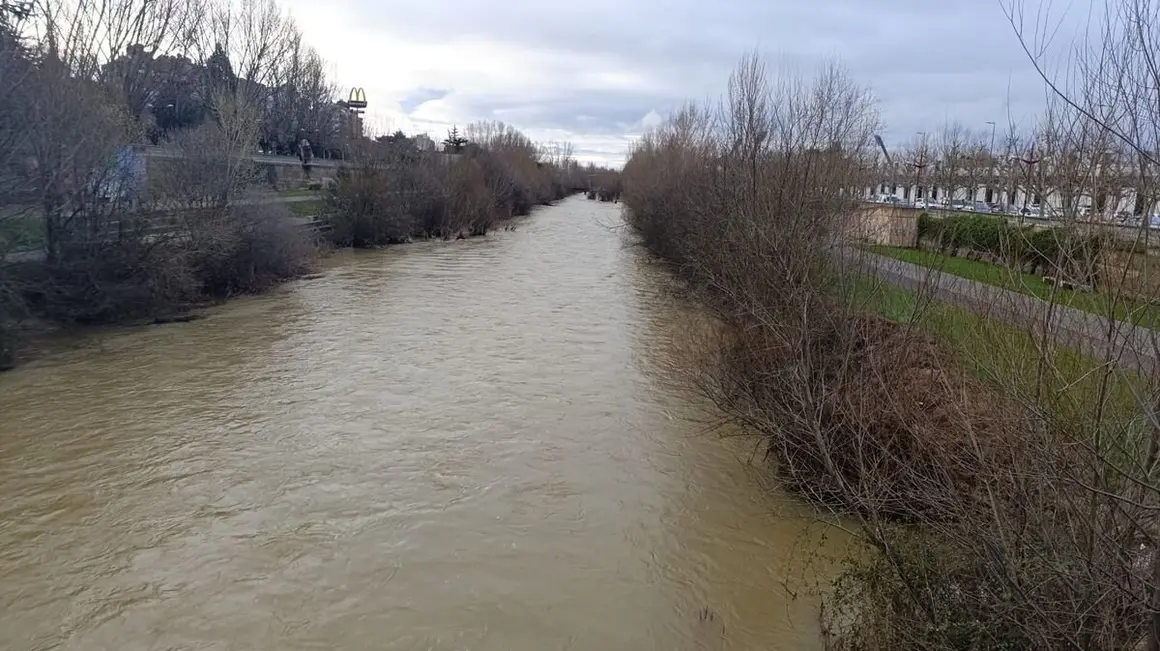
81,241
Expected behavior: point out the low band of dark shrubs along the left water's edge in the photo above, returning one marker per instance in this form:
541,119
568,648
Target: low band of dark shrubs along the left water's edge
120,264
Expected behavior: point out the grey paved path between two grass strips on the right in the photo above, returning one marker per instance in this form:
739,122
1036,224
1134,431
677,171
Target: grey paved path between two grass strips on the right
1134,349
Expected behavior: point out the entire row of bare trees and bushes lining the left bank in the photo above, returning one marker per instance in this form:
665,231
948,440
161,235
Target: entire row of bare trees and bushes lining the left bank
83,241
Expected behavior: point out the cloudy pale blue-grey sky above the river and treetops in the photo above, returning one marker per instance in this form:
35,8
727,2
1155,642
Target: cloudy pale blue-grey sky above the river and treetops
597,73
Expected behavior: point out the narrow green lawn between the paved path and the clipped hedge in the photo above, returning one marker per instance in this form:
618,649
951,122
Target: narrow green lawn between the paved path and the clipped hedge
1135,313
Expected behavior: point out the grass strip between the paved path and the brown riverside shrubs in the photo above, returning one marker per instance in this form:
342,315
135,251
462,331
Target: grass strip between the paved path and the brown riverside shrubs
1013,361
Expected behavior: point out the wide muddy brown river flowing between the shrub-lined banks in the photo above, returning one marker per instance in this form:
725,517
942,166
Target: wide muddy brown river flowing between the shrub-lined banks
447,446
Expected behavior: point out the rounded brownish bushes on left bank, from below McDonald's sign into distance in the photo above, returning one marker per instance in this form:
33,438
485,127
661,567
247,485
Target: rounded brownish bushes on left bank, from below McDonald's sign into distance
396,193
